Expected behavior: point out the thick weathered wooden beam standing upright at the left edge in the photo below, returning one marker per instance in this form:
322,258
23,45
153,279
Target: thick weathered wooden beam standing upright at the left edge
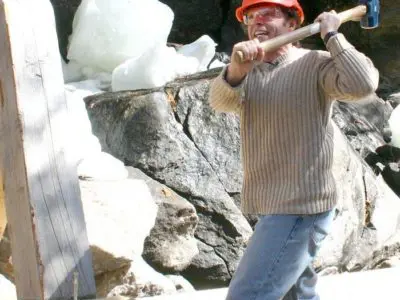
46,221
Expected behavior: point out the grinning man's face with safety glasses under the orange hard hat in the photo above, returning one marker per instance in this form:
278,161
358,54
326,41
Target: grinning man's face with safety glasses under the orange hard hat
266,22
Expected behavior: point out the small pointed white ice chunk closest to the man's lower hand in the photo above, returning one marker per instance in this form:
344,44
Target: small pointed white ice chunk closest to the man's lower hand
203,49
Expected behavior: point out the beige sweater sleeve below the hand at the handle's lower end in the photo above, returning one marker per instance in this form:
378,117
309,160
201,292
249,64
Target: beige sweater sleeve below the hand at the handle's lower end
223,97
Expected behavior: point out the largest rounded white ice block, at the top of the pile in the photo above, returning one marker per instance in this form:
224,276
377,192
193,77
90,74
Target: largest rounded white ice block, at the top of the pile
106,33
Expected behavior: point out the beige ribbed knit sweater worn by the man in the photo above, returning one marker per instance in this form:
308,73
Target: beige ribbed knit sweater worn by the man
286,134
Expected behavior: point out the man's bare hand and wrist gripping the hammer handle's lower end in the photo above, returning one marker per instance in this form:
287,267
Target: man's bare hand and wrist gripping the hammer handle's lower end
237,69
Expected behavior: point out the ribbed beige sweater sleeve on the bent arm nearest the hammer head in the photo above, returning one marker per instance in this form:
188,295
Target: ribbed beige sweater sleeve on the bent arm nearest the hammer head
347,73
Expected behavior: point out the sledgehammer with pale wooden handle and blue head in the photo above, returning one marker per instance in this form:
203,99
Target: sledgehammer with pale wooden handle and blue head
367,12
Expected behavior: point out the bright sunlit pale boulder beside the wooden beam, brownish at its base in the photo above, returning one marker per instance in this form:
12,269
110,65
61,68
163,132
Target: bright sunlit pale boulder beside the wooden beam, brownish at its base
119,216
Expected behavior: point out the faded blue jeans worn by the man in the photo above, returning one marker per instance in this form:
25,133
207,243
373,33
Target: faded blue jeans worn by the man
278,260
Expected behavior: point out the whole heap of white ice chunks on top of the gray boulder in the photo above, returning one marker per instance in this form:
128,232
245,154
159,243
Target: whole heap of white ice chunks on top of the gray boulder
126,39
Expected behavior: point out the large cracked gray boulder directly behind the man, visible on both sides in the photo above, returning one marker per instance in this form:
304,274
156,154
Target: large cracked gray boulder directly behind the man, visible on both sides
172,135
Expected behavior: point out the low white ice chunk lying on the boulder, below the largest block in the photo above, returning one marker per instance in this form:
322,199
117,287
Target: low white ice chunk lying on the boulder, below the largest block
153,69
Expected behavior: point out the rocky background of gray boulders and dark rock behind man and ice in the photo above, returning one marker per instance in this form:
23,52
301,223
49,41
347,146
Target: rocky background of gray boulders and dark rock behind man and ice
173,223
